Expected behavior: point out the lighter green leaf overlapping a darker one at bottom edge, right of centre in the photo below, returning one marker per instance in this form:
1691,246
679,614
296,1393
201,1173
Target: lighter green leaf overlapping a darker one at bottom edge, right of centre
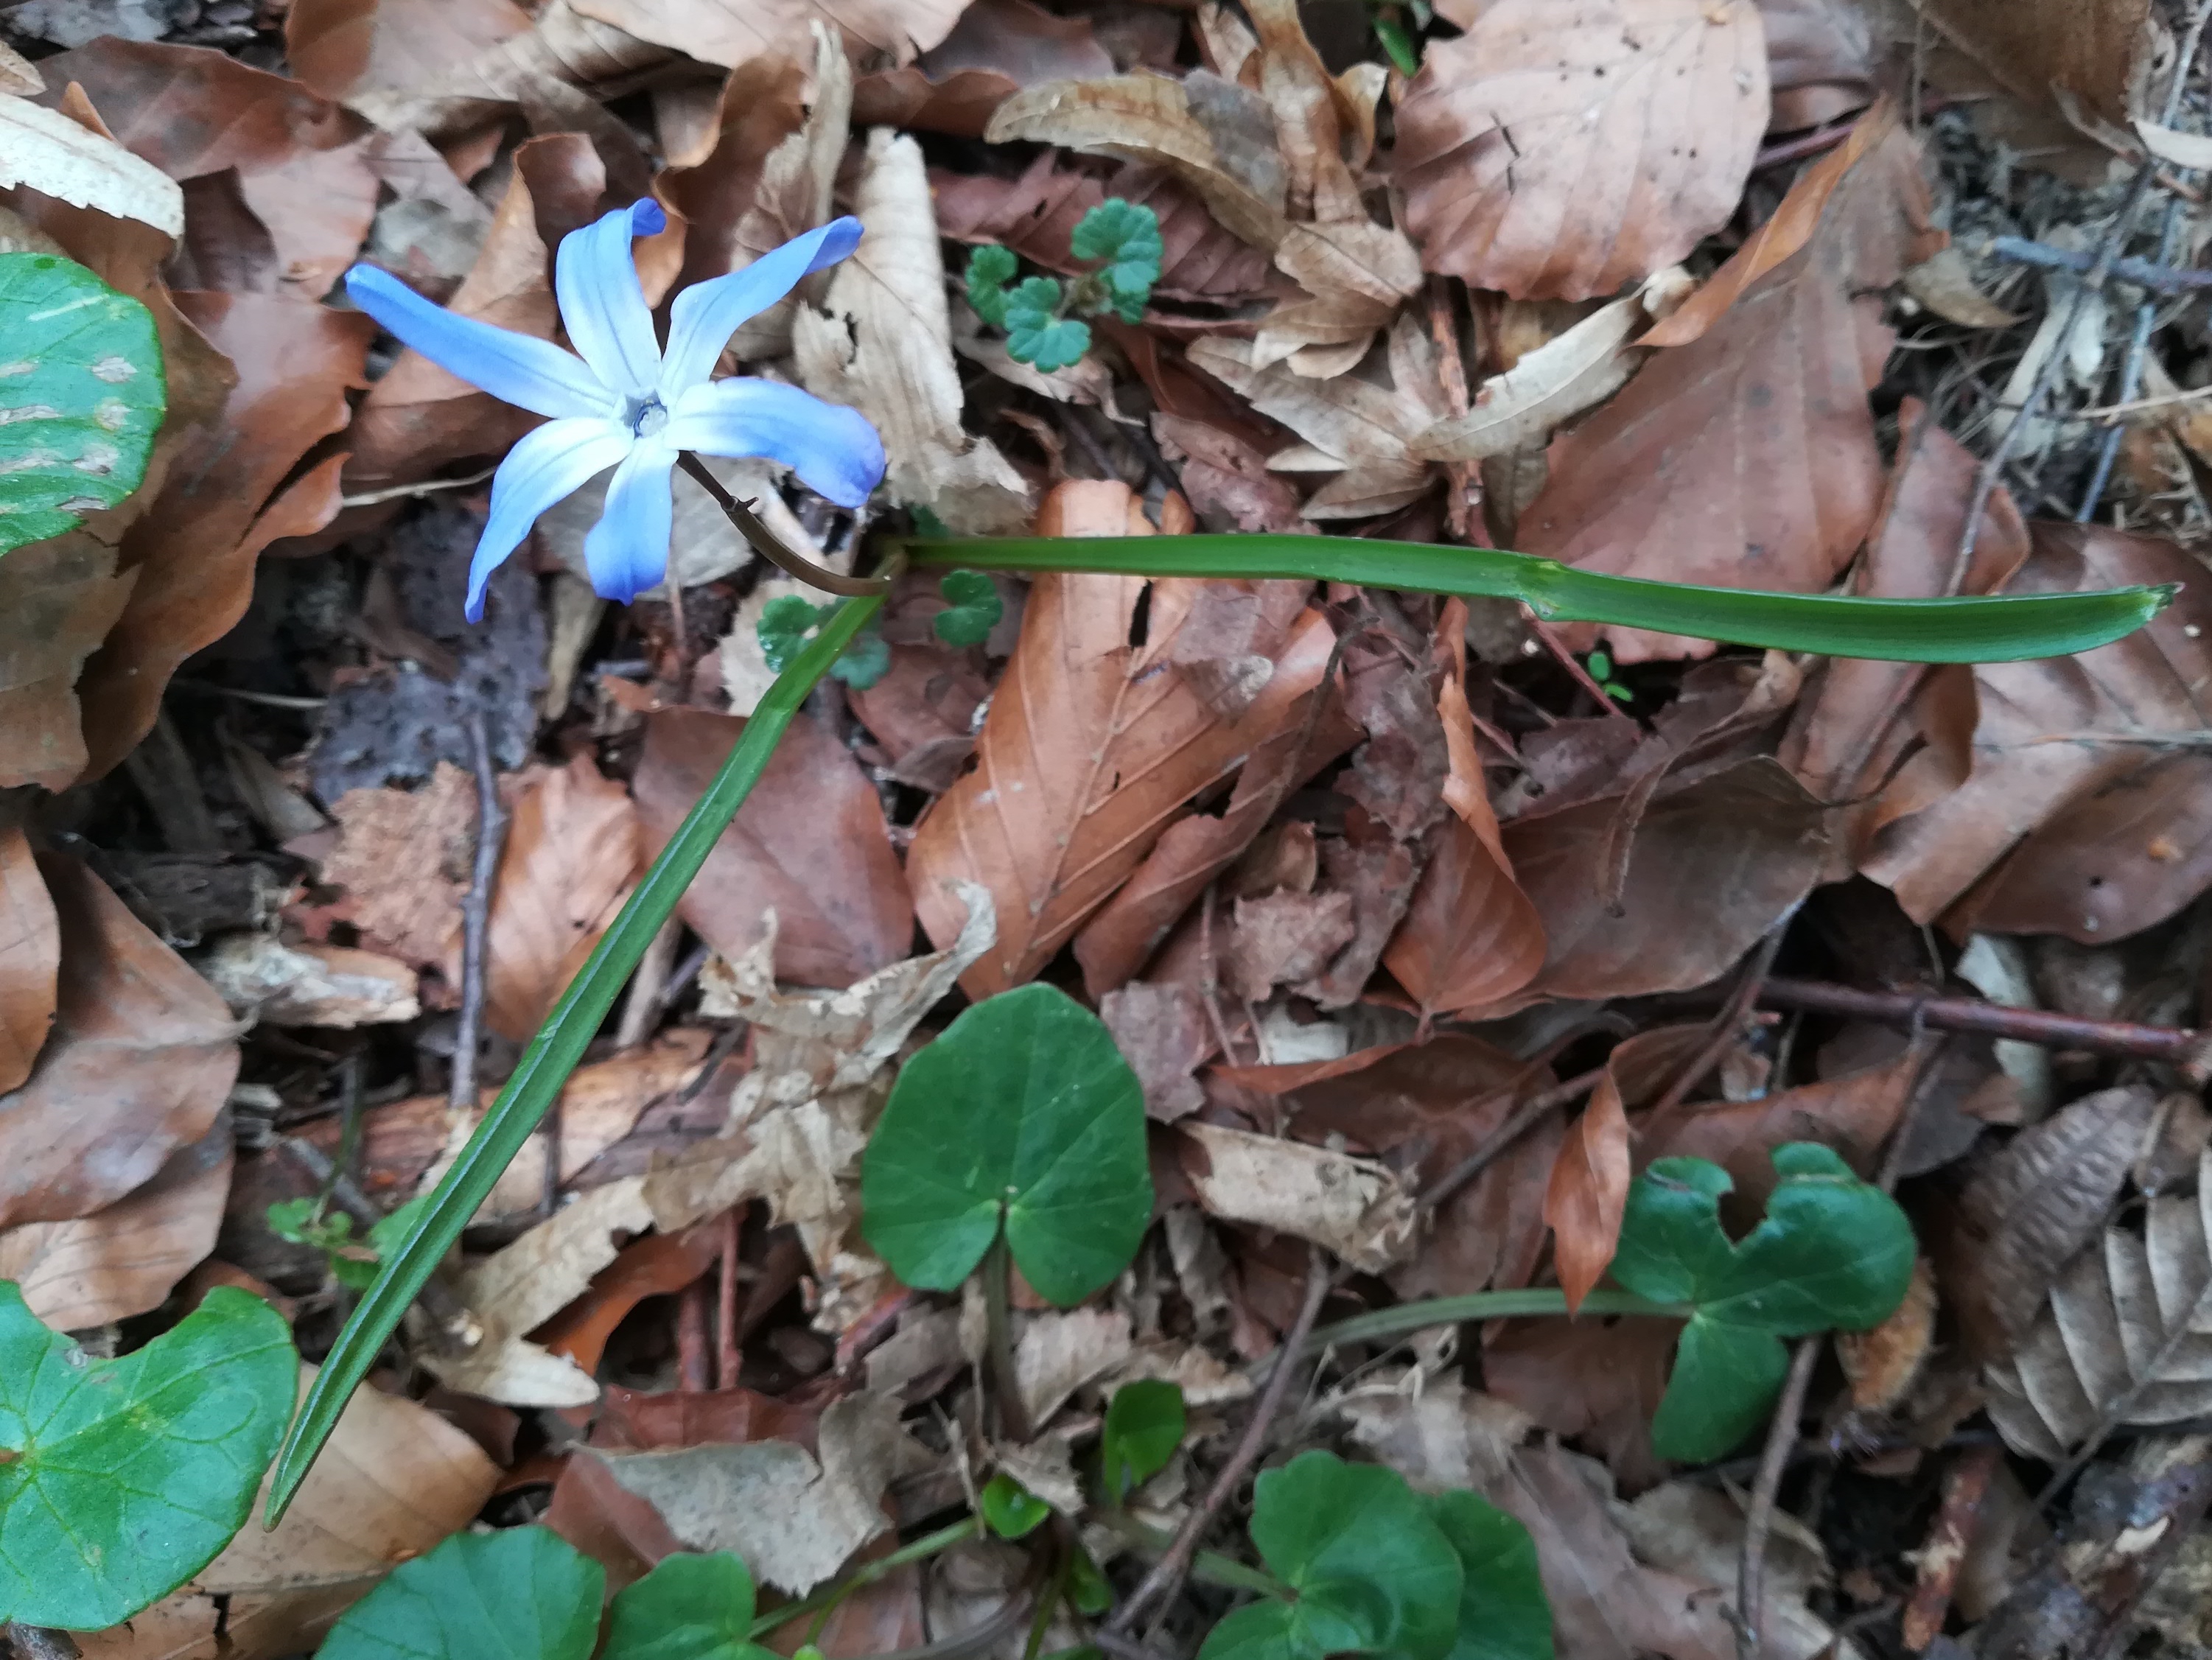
1370,1568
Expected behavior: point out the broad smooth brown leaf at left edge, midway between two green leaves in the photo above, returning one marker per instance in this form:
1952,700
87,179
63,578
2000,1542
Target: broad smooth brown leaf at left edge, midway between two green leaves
138,1066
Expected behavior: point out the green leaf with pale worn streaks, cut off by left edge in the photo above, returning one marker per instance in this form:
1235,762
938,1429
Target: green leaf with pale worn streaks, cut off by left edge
81,395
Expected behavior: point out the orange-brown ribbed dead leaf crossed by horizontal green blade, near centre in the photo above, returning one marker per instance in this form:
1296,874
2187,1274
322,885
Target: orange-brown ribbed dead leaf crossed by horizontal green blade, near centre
1094,747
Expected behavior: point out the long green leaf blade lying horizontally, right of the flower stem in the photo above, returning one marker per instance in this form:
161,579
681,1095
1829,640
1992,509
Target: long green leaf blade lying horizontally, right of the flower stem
1994,630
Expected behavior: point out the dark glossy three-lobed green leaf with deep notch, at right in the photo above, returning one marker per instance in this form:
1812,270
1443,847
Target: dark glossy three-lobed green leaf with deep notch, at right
1830,1254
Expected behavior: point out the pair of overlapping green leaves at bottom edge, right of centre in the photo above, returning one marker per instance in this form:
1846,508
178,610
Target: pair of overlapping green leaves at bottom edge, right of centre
1368,1566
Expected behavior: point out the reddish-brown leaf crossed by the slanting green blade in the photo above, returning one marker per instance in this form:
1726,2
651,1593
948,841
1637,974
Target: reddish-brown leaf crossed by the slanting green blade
808,844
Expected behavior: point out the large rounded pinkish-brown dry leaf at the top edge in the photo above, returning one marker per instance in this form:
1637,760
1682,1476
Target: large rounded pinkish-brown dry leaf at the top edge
1567,149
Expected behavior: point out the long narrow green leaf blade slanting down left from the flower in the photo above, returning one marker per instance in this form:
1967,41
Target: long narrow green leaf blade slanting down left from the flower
552,1057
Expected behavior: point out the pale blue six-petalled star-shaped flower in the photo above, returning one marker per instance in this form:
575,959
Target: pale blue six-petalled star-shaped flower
627,402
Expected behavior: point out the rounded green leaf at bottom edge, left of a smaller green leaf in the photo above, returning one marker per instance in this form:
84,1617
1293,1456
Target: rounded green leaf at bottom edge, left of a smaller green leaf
519,1595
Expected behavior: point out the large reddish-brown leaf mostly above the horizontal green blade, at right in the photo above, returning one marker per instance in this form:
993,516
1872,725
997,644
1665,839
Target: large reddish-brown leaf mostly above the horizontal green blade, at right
1751,453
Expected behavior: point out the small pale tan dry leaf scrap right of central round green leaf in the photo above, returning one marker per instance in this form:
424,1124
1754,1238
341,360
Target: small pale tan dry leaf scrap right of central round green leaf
1346,1205
